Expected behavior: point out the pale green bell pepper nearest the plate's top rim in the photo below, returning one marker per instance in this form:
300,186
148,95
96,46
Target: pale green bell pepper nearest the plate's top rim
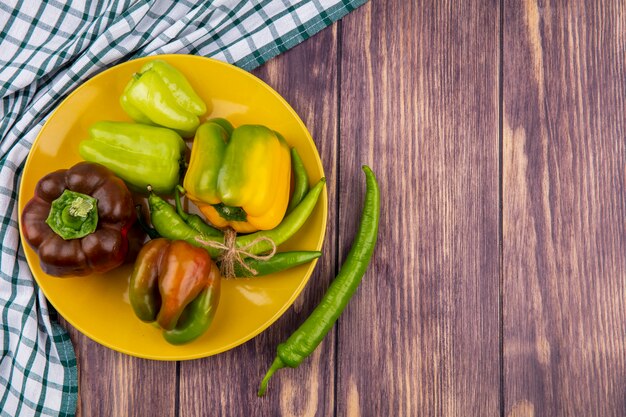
160,94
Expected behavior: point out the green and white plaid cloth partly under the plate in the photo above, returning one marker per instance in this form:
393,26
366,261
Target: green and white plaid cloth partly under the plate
47,49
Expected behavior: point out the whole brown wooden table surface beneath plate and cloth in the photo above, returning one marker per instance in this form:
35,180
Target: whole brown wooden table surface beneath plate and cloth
497,130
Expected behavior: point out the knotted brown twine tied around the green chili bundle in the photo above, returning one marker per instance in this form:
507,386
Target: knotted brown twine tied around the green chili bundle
232,254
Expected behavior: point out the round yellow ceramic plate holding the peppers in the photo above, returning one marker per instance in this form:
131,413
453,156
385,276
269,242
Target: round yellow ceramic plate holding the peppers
98,305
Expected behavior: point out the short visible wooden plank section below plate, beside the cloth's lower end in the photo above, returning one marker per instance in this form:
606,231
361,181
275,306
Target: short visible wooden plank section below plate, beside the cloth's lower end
115,384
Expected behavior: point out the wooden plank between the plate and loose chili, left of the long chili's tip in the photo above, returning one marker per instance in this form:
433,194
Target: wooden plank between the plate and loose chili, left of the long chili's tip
226,384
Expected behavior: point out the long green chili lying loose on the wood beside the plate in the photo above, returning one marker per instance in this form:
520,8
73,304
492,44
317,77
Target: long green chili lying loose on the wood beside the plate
309,335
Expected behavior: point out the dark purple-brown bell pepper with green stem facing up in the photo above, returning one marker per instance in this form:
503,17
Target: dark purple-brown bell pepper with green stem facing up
78,220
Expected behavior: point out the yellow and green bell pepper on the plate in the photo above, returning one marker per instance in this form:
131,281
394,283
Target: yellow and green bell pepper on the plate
239,179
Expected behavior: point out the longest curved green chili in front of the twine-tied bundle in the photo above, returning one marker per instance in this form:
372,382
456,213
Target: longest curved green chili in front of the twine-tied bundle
170,225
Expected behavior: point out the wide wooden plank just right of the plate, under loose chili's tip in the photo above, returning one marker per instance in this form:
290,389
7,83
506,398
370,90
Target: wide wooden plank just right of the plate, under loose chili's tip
419,103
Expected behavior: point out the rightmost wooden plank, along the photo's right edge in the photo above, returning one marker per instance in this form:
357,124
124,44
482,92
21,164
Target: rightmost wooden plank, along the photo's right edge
564,207
